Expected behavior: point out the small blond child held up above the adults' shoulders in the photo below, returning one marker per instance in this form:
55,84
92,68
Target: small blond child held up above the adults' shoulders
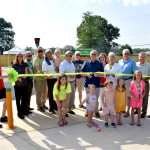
57,59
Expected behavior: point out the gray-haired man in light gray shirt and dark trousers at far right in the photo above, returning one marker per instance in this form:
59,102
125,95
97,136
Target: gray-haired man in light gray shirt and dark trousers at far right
144,67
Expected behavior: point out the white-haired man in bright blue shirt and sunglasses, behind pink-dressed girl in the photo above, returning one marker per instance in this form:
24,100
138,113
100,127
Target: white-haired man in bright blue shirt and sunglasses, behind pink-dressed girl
128,66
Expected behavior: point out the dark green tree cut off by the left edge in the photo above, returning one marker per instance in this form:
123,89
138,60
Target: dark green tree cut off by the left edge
6,35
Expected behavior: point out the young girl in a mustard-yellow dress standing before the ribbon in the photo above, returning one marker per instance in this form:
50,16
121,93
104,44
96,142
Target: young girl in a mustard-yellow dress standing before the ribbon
121,97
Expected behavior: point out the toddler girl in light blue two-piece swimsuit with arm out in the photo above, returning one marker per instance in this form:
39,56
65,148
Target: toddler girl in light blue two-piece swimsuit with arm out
90,104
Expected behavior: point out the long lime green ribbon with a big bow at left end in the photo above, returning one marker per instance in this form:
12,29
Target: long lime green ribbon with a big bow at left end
15,74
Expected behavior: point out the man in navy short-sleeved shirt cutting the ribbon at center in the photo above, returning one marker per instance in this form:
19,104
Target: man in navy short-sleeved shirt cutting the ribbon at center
93,65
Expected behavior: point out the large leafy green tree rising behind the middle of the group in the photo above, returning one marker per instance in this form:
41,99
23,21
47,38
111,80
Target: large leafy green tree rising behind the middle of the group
95,32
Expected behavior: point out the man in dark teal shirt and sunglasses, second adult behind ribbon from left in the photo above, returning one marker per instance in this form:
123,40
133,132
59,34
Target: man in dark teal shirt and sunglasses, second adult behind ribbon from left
28,60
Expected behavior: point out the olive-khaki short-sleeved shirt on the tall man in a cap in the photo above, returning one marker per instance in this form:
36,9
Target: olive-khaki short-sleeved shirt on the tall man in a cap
38,62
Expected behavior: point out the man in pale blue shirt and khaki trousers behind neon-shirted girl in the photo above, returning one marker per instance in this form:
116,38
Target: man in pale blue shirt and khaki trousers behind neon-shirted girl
68,67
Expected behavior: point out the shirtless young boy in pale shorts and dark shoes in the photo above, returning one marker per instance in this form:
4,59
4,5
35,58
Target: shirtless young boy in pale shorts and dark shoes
109,103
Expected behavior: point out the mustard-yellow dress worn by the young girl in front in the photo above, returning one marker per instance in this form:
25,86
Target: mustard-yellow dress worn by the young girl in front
120,100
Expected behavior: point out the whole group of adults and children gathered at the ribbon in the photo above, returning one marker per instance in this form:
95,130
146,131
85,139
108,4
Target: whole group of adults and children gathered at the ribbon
109,91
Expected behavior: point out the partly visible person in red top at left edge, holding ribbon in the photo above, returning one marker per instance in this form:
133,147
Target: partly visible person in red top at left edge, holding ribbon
3,95
